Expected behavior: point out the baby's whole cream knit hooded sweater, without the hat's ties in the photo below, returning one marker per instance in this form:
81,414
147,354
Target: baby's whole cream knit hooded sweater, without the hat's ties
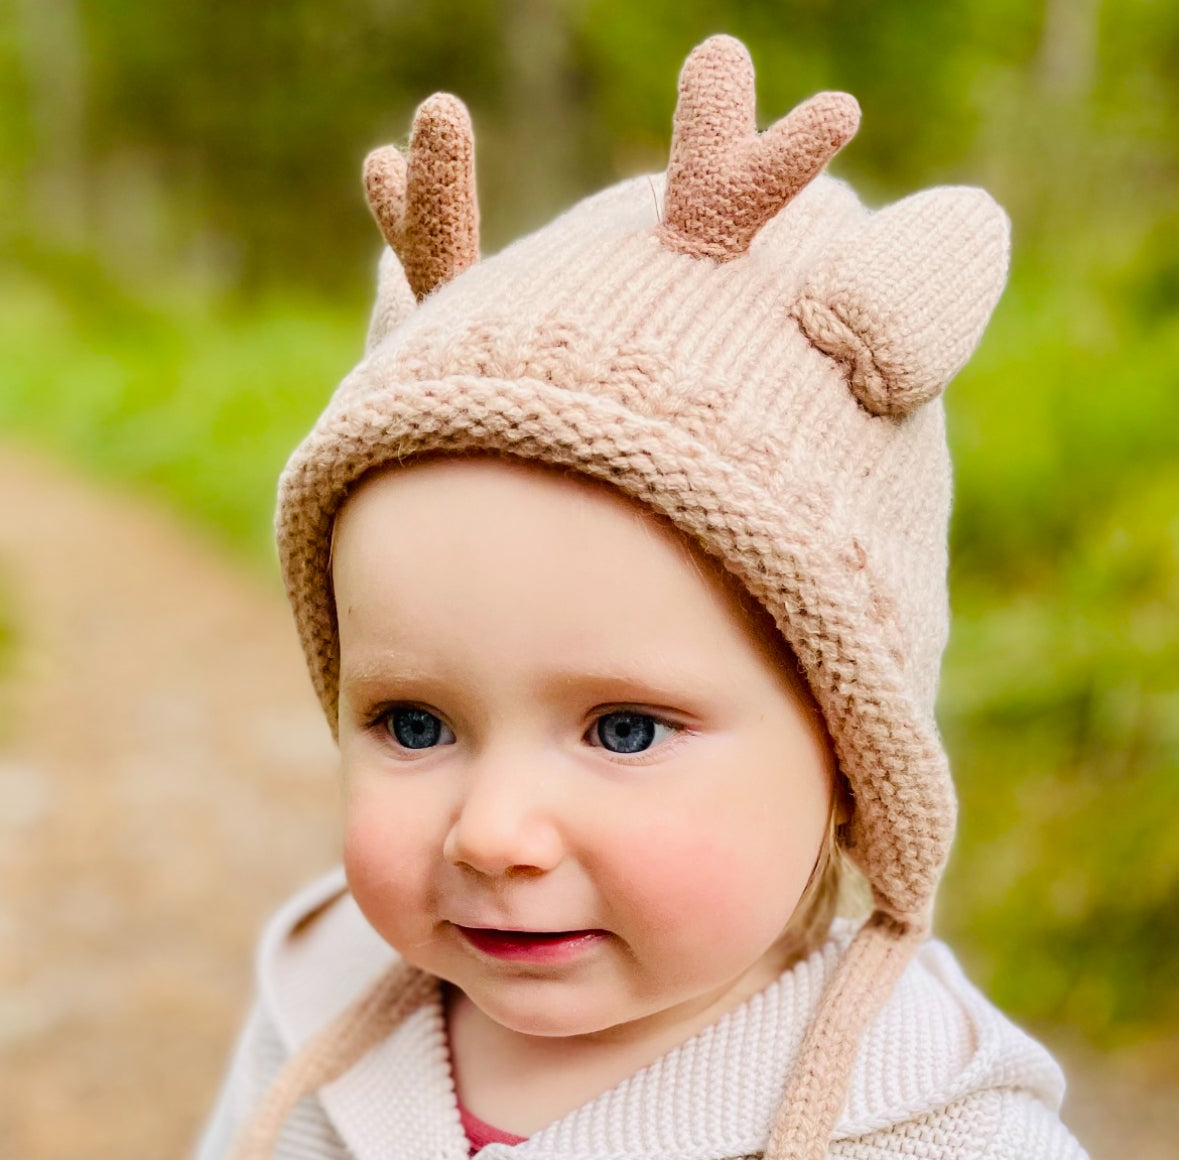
941,1073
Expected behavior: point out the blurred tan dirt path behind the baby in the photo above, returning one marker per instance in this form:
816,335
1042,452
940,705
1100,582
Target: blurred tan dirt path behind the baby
166,780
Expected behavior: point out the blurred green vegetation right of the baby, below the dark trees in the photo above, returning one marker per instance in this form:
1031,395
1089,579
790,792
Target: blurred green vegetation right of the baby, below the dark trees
1061,701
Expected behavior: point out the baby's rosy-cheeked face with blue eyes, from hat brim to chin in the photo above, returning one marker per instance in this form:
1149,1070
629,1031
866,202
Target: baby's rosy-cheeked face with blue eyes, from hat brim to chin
579,785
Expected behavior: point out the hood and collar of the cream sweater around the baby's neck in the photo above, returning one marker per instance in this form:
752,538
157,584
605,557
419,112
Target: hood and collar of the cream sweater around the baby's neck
936,1042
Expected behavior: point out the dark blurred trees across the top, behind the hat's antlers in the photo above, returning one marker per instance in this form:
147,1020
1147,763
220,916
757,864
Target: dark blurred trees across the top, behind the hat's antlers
238,130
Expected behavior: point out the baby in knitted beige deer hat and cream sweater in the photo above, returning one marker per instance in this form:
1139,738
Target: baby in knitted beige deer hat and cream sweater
620,565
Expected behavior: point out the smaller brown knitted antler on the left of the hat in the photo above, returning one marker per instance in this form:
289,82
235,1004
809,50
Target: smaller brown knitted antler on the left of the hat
426,207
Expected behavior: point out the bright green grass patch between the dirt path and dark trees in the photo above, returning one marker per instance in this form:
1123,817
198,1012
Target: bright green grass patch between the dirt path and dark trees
194,401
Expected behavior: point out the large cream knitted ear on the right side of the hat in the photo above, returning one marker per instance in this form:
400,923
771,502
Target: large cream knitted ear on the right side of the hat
904,301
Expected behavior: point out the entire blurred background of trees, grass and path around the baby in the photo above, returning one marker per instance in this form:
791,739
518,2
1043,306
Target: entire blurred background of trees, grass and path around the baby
187,272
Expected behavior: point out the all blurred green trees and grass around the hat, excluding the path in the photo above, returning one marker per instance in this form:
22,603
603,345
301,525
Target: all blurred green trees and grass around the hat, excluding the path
187,274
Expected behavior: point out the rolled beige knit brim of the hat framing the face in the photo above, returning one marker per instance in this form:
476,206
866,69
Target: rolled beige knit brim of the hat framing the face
786,549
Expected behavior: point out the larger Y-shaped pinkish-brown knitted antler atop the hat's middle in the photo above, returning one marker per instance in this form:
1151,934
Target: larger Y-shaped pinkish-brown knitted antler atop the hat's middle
726,181
